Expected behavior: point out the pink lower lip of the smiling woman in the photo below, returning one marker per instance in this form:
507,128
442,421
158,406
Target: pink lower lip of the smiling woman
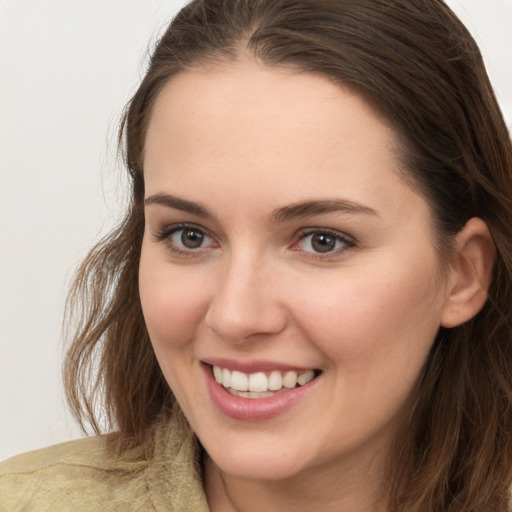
254,409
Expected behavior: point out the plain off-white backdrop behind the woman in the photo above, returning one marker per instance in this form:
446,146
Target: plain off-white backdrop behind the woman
67,68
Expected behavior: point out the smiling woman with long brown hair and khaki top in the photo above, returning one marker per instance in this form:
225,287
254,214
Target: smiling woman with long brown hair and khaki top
314,271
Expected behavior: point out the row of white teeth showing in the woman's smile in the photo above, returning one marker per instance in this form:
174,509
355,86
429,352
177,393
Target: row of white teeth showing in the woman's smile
245,385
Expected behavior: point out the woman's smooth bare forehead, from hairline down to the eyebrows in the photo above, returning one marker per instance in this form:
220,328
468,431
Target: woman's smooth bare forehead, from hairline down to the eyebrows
243,129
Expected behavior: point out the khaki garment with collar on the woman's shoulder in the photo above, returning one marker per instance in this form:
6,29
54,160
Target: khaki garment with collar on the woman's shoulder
84,475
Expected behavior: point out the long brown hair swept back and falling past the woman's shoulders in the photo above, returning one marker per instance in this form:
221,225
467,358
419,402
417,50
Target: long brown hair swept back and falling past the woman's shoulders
415,62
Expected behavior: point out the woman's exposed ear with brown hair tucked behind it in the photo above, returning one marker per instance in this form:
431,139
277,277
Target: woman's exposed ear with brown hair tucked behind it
470,273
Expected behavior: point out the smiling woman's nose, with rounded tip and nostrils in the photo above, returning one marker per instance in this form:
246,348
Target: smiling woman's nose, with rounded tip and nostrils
246,303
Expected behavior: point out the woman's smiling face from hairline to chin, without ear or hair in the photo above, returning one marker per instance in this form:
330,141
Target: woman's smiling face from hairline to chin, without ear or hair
281,243
